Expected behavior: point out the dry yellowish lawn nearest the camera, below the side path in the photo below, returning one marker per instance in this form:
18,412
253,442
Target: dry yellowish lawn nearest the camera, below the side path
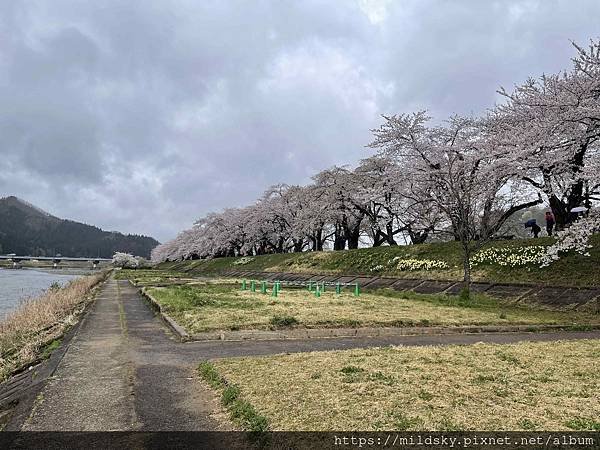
525,386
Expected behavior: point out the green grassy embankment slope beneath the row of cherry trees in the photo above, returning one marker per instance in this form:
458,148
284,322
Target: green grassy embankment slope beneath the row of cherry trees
572,270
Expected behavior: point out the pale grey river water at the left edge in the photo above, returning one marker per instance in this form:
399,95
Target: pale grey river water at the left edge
19,284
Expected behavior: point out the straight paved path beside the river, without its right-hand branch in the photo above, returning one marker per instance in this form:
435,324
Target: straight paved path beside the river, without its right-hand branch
121,373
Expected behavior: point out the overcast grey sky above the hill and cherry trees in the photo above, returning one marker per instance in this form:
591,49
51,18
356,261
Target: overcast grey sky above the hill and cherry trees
140,116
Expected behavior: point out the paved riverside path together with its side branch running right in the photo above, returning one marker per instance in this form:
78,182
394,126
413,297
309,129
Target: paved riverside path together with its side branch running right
124,371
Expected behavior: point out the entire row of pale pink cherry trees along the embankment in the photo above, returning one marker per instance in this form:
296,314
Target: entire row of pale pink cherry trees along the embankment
462,179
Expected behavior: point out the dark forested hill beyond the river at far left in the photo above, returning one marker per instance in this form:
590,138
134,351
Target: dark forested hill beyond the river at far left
28,230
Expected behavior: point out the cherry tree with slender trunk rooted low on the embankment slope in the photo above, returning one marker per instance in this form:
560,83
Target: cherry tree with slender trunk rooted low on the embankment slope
454,169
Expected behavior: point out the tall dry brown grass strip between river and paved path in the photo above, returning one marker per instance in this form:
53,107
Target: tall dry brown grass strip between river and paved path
38,321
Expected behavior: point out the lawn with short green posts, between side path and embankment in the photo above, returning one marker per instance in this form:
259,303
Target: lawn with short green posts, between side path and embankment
212,306
